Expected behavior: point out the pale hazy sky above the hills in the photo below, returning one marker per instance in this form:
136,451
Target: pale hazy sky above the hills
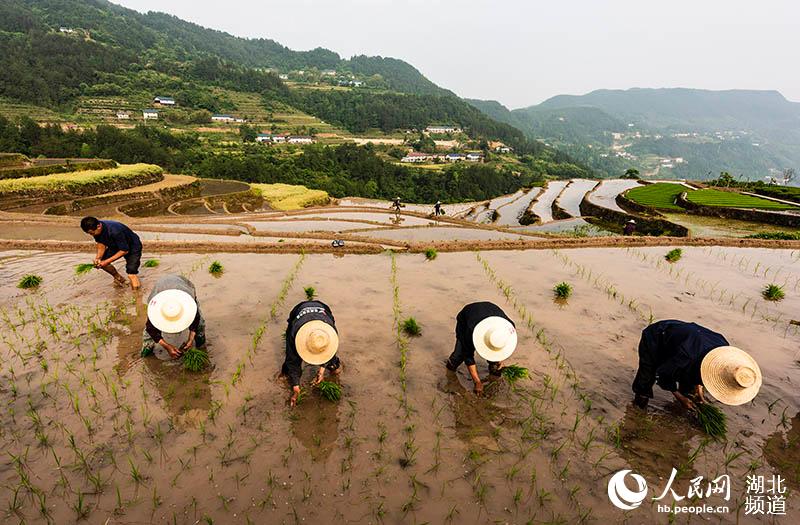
522,52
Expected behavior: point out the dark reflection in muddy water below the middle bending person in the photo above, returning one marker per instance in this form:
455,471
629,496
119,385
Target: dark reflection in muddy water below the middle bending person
315,423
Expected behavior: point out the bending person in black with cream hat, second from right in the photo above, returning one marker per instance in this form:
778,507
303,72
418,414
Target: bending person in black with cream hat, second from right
483,328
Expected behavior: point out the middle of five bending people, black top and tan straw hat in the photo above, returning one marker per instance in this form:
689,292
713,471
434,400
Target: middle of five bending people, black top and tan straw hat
311,337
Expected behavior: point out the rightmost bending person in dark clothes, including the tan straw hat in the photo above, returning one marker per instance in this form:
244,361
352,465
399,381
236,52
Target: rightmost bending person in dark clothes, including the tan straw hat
683,358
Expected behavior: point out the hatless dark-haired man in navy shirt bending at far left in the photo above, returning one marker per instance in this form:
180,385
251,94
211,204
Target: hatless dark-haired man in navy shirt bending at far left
115,241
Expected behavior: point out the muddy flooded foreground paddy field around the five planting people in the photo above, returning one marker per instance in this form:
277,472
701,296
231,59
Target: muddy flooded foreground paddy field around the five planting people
93,431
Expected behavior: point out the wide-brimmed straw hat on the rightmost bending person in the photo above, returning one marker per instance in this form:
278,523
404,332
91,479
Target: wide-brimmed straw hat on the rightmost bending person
730,375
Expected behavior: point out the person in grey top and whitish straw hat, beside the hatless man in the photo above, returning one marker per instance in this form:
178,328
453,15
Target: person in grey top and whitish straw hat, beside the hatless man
174,320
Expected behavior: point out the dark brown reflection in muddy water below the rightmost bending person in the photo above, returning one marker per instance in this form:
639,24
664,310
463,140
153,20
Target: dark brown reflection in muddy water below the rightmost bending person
653,443
